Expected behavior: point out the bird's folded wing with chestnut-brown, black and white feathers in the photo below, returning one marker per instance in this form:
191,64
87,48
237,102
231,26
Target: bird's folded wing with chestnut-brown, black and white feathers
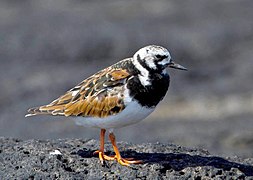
100,95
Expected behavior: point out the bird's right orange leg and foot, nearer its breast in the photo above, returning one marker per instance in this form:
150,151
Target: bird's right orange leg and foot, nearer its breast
120,160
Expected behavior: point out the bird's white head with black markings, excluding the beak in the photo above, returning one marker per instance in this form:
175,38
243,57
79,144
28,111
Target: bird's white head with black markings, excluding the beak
151,59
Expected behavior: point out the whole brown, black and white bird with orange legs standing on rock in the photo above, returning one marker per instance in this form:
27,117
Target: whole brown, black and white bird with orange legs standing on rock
117,96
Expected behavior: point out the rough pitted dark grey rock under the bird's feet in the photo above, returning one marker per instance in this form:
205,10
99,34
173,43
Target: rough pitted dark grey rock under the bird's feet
31,159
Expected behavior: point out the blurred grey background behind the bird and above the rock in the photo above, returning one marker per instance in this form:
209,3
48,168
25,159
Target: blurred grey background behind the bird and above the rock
47,47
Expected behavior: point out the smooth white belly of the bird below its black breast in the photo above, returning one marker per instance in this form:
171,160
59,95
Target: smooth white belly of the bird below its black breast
133,113
